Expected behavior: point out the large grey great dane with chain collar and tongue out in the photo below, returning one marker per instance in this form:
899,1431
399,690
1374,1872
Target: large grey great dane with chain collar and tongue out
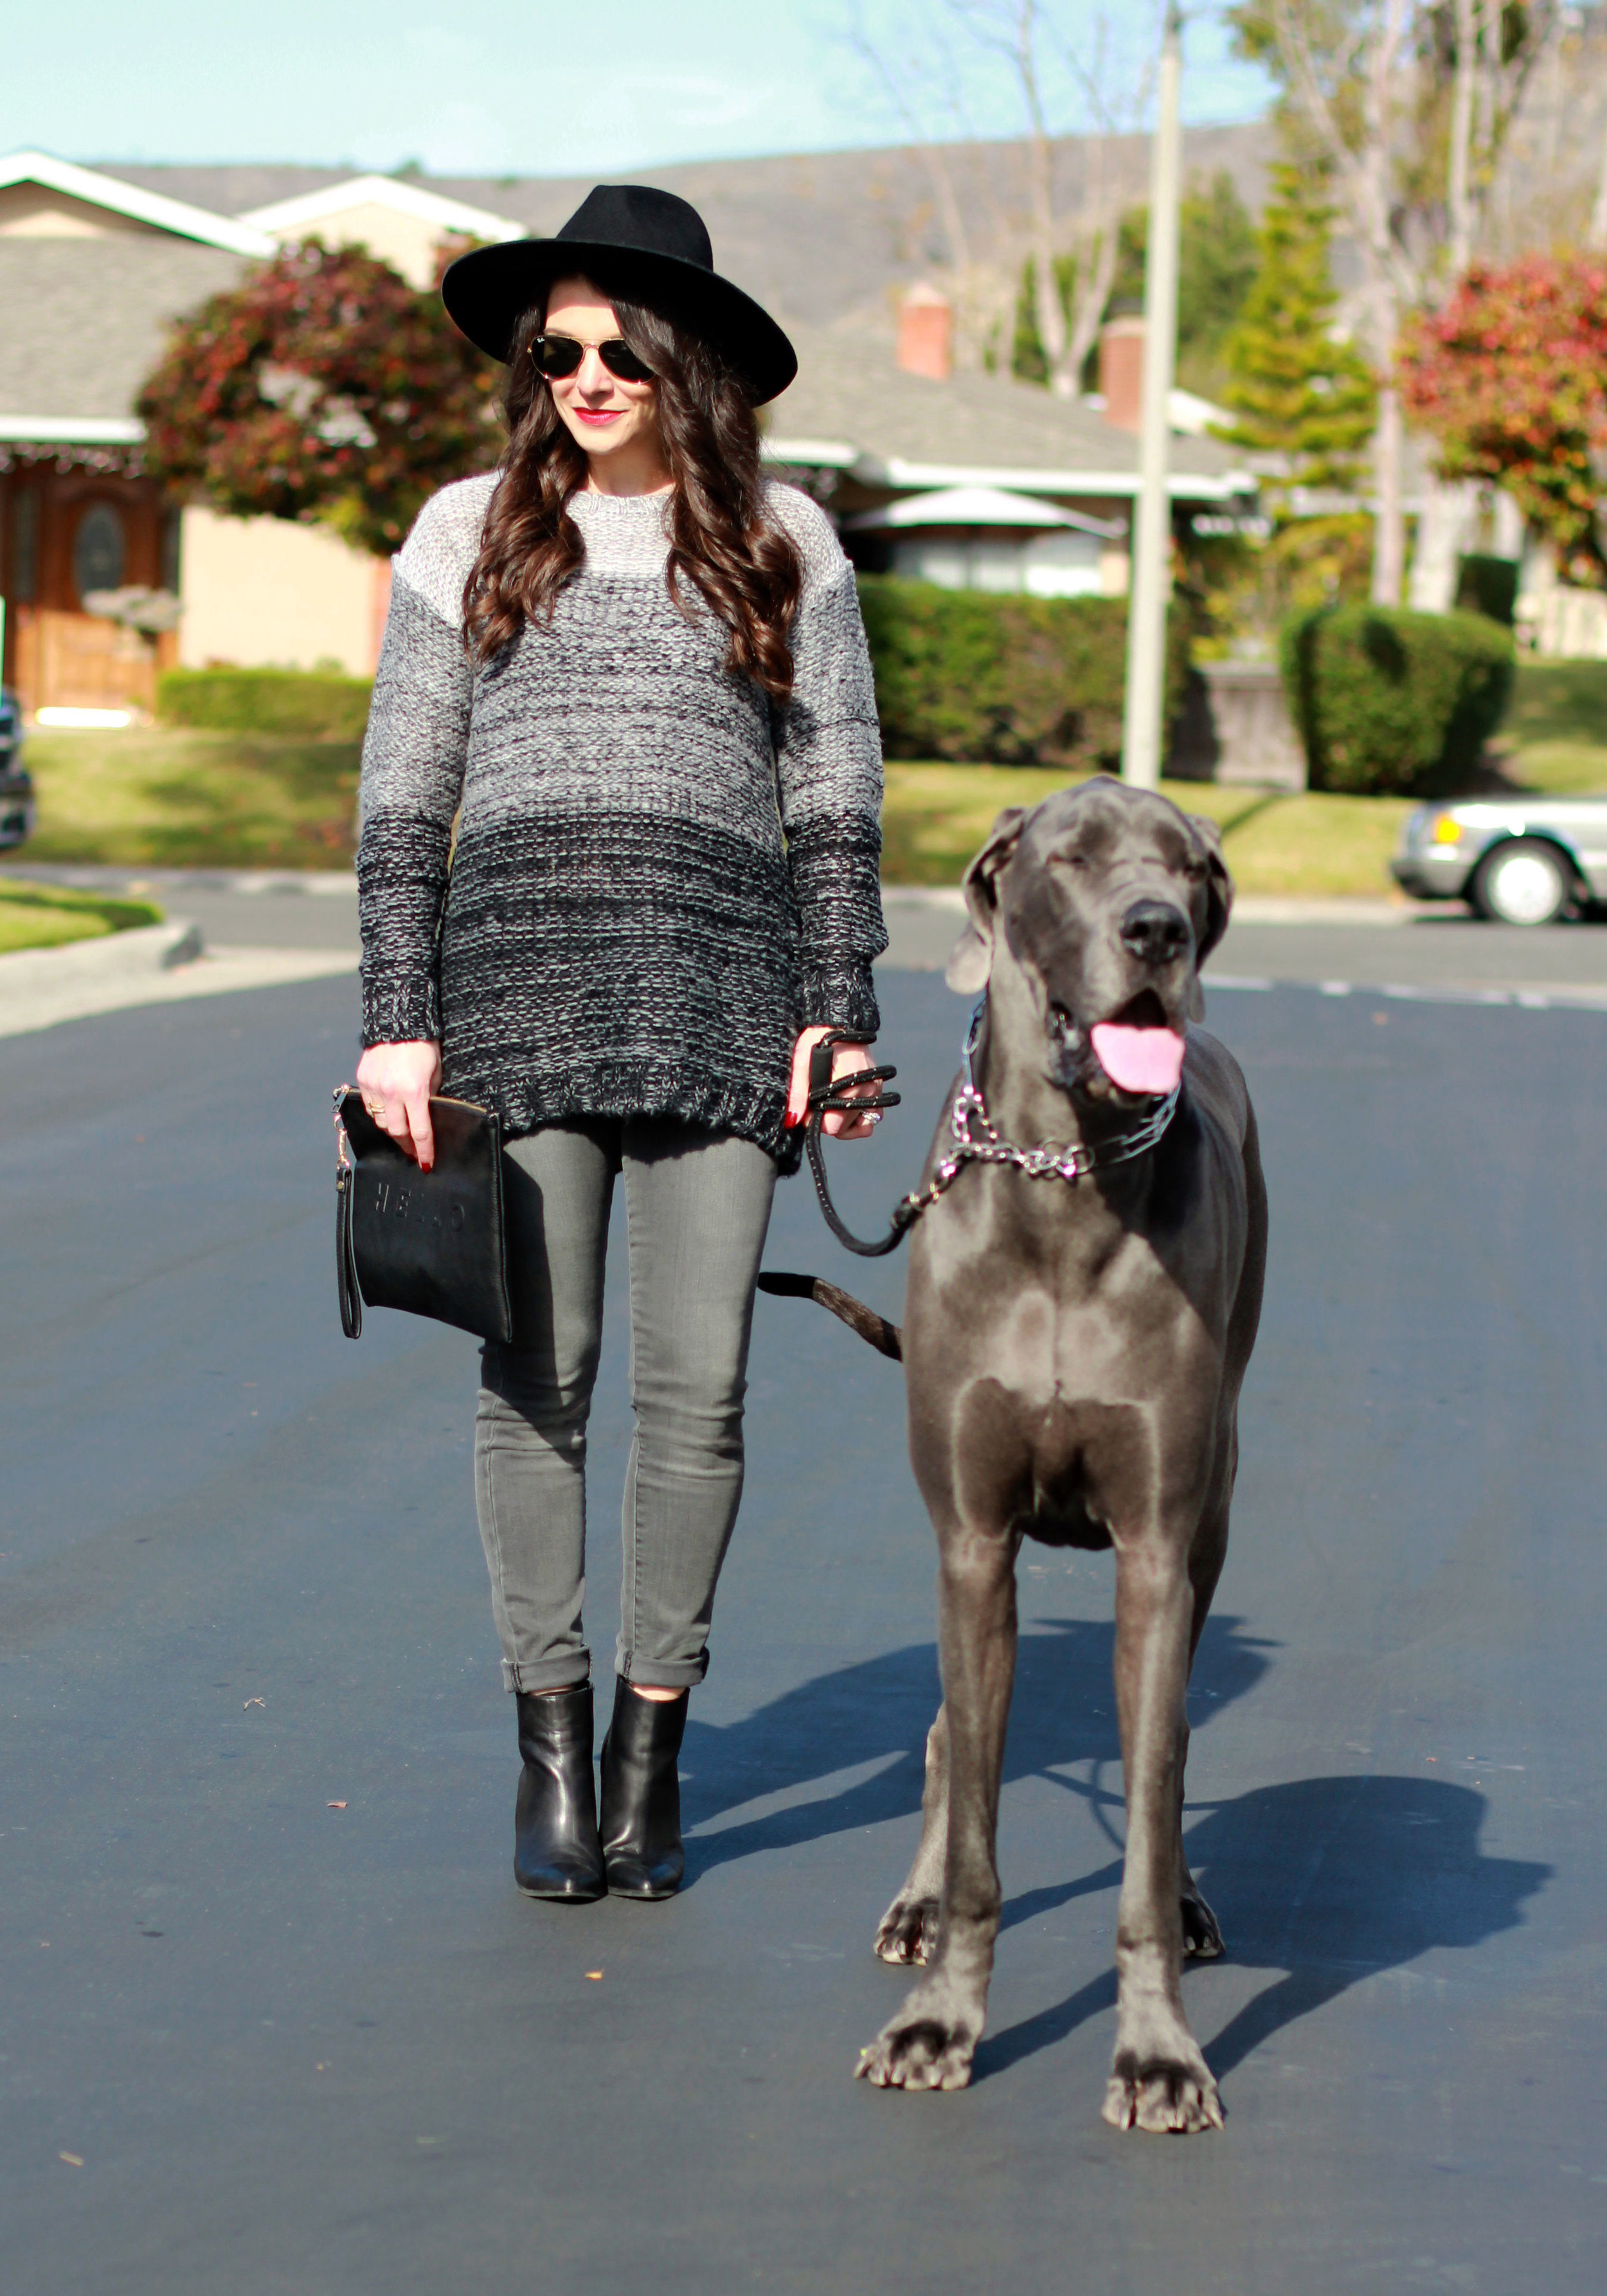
1076,1351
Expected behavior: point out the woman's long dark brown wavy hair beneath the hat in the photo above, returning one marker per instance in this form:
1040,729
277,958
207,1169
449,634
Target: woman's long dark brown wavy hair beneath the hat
738,561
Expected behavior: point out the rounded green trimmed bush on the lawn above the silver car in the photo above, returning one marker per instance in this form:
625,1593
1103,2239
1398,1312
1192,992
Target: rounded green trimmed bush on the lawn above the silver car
1395,704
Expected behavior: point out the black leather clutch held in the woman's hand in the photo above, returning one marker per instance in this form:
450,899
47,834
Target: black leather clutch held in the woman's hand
424,1241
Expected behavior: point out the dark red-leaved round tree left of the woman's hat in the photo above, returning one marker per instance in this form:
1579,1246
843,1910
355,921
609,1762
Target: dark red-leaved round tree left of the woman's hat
320,389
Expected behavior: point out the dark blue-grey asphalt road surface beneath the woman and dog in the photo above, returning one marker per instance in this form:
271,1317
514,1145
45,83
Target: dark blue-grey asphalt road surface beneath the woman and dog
277,2017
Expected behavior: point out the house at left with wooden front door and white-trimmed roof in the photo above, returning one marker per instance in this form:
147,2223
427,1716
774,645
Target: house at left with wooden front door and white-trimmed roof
93,270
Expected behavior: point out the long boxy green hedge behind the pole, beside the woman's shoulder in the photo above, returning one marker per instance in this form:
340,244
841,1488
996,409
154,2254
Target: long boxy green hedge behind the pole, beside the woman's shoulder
997,678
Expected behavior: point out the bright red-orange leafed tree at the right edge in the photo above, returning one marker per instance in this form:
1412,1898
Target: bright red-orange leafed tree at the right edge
1512,380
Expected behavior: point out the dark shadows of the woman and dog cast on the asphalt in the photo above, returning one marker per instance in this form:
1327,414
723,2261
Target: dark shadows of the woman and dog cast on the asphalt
1326,1879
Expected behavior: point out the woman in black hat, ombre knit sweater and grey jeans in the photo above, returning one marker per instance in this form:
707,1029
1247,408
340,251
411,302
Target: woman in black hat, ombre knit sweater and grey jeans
619,874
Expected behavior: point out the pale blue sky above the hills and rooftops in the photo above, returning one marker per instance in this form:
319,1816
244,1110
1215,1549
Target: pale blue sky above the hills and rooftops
550,91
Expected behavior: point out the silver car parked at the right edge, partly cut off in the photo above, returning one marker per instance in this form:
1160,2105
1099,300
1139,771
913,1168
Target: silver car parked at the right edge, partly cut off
1516,860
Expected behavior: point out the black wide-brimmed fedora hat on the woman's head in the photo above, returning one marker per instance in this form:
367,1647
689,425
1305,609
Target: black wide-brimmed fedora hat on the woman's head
632,240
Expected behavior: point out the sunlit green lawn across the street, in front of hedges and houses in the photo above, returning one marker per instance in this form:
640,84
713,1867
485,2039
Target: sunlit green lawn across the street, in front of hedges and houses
217,800
